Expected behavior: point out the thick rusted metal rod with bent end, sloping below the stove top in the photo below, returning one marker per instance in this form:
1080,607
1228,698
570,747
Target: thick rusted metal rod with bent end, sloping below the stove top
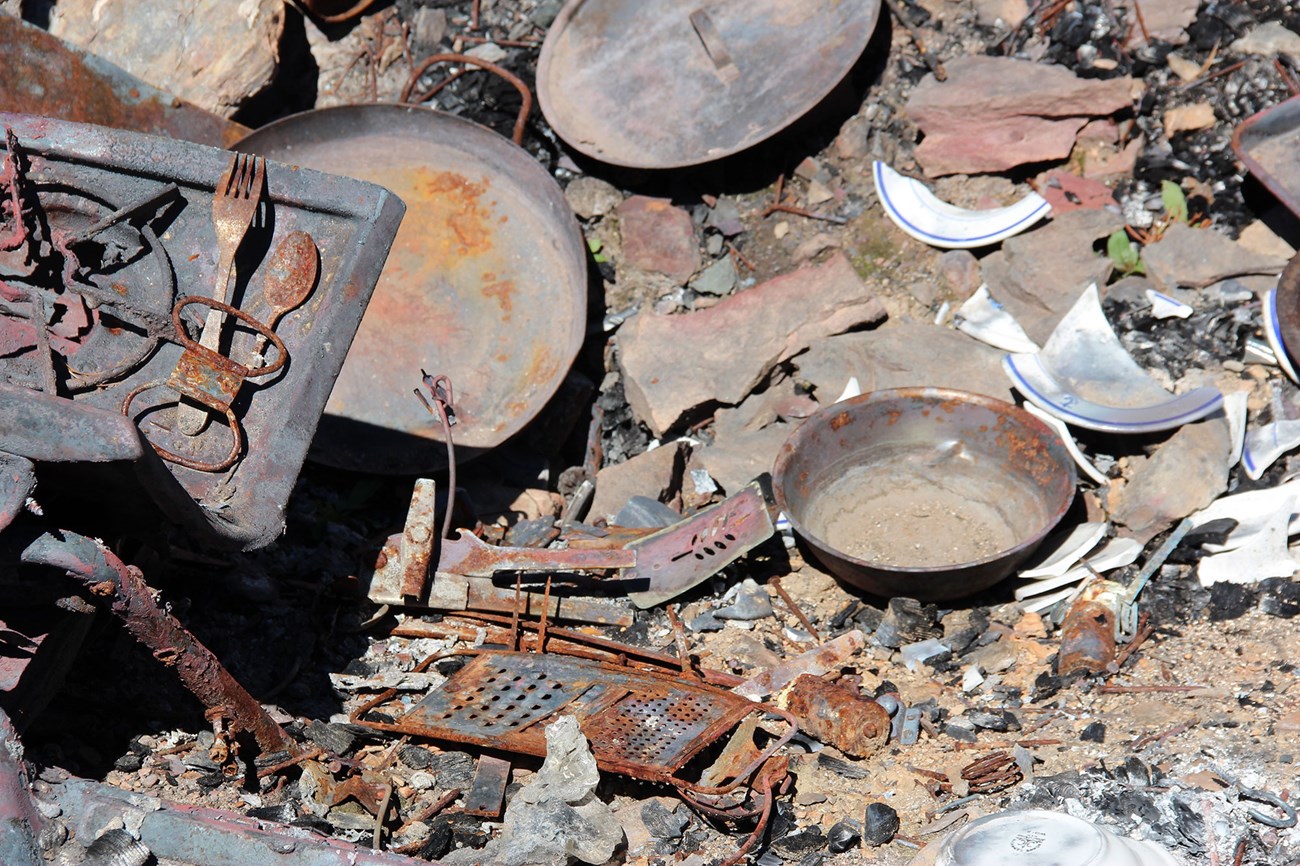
132,600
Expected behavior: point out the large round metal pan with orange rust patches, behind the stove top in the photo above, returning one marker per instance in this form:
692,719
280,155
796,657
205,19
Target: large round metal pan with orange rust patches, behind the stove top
487,283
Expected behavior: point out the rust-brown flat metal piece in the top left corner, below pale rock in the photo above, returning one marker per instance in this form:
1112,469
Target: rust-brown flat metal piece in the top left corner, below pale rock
44,75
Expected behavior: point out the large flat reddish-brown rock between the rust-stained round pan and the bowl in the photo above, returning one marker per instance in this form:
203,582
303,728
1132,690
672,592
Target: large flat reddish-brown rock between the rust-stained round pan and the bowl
674,365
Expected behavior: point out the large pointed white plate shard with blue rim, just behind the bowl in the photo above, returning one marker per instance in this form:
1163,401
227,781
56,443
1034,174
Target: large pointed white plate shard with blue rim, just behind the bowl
1085,376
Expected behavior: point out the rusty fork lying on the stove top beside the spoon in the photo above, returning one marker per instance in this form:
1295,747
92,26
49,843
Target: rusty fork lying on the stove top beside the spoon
235,205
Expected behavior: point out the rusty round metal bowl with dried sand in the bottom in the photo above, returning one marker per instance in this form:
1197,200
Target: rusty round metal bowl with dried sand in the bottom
924,492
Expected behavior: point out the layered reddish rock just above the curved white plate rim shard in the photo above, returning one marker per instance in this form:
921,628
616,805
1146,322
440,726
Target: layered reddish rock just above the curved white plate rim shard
995,114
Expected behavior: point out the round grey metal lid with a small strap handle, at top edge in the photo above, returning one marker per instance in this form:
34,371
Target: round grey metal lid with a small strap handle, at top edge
661,84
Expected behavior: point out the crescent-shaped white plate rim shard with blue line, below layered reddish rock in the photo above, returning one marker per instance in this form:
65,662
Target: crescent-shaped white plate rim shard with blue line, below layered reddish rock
925,216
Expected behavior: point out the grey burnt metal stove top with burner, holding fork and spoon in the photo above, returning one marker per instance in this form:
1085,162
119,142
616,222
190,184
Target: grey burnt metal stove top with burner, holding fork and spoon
115,319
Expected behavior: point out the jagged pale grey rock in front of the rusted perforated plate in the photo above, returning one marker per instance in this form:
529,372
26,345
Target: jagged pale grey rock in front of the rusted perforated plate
557,819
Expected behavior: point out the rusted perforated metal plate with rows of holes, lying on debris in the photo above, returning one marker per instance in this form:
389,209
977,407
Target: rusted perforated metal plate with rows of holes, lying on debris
640,724
